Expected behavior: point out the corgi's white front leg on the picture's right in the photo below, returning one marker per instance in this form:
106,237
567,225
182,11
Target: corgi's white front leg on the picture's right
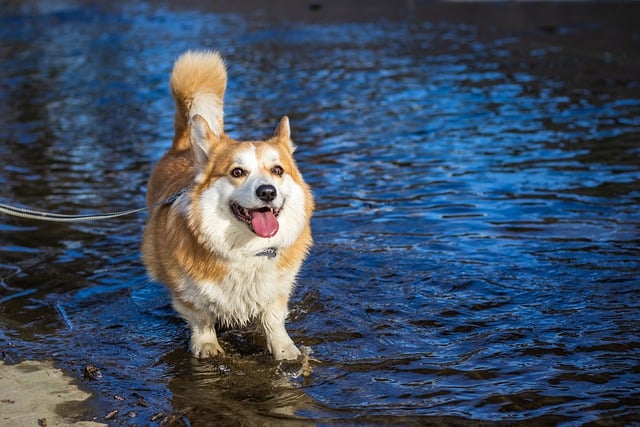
279,342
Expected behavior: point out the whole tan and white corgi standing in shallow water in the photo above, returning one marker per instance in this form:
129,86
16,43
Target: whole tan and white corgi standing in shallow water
230,245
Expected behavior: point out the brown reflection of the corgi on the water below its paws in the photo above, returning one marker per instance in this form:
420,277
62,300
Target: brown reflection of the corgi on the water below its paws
245,386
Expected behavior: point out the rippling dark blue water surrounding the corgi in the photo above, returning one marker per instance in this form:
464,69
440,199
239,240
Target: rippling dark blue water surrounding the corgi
477,252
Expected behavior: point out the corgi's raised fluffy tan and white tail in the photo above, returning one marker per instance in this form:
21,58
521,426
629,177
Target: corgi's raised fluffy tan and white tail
198,82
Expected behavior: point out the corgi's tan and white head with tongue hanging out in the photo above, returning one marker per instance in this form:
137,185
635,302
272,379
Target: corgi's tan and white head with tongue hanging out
247,190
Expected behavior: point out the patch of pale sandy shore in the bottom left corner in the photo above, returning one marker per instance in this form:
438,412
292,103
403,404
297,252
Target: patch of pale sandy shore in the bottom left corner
35,393
